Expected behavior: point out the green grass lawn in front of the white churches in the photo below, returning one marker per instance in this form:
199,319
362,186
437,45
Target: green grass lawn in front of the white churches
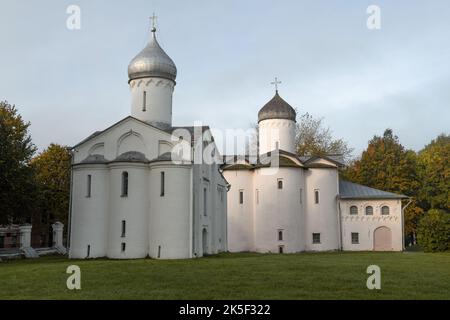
234,276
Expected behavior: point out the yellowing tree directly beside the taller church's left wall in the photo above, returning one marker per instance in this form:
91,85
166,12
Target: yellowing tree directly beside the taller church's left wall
52,177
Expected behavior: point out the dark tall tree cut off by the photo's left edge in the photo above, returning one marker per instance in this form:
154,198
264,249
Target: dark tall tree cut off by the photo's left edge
16,176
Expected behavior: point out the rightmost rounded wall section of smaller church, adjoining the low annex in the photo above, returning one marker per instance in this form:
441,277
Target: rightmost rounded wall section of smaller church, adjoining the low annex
321,217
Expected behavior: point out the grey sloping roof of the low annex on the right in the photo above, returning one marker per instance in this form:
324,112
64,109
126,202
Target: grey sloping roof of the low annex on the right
350,190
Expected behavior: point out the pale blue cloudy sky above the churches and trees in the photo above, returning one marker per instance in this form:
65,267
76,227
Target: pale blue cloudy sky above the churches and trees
71,83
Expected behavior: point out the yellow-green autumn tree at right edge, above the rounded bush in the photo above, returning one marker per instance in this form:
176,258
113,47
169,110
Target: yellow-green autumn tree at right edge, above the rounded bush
434,174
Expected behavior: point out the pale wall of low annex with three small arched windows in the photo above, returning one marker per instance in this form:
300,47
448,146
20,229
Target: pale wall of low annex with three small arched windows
365,225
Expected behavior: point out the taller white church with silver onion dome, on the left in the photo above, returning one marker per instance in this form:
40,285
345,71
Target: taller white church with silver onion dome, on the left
129,197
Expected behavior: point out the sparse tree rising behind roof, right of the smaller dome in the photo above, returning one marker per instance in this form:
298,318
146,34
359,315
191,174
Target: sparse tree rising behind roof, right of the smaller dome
314,138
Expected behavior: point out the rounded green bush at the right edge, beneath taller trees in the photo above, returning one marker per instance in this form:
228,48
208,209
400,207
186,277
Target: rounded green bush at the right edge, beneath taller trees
433,232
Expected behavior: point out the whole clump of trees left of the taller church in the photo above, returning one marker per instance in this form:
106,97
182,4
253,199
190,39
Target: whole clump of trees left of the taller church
31,184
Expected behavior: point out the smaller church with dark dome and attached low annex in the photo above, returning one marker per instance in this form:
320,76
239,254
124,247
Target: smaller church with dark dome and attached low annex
300,203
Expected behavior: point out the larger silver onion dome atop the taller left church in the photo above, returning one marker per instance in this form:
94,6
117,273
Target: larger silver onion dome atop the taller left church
152,61
